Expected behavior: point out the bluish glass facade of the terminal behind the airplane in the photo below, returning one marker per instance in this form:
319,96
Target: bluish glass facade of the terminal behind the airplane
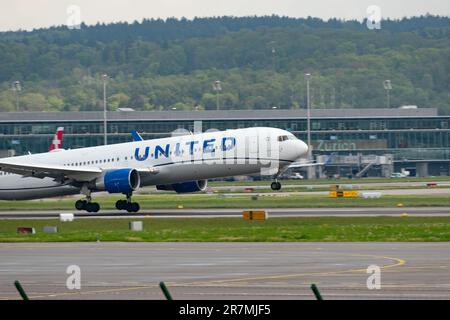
406,138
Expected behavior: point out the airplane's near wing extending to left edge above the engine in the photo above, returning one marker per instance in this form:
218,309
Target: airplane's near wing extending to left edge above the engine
52,171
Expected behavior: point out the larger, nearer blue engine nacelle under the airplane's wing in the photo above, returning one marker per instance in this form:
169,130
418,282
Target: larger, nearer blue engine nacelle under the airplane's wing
119,181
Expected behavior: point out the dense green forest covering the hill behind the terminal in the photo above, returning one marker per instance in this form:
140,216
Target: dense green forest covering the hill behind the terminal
260,62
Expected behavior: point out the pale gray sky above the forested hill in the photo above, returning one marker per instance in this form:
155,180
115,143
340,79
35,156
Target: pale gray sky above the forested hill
29,14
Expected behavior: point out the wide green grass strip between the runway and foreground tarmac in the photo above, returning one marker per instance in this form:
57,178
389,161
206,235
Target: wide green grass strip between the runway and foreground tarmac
236,229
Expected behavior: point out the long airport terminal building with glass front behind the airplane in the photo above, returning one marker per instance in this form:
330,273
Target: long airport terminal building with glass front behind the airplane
349,141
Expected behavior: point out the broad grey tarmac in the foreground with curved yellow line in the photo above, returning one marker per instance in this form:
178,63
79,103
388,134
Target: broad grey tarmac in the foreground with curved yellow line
226,270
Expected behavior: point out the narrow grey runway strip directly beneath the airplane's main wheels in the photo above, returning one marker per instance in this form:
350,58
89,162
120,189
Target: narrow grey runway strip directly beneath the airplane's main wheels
208,213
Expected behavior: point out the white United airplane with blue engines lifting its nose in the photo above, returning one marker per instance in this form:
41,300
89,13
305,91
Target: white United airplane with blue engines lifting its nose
182,164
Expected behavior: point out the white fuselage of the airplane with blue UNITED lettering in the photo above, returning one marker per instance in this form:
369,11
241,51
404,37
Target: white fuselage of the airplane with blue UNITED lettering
171,160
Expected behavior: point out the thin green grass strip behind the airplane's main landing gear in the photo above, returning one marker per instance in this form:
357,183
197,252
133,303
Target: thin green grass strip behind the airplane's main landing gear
171,201
